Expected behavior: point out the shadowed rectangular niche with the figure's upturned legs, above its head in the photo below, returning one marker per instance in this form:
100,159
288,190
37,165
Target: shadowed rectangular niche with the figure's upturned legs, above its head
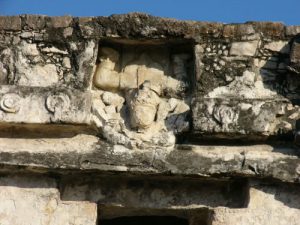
123,65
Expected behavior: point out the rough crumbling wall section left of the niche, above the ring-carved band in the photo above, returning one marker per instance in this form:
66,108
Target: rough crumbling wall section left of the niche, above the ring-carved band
39,64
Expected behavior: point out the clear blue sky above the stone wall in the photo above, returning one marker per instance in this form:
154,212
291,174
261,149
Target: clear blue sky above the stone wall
226,11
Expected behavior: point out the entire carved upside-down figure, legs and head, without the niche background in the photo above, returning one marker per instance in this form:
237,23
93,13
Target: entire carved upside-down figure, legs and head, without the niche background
139,105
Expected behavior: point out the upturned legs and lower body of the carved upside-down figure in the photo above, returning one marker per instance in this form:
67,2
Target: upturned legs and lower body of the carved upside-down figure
136,72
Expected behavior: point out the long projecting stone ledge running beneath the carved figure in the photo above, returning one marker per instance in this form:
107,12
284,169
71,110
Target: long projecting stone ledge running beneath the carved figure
63,151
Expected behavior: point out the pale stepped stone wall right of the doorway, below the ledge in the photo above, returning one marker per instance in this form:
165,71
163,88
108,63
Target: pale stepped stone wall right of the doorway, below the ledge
269,204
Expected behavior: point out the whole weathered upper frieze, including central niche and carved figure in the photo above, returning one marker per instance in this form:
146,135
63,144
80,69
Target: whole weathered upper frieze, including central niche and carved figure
240,78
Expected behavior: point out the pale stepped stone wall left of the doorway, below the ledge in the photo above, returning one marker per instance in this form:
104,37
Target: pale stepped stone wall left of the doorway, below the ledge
36,201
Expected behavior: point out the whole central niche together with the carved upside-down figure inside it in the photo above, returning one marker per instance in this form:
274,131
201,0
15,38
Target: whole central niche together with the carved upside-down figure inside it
143,88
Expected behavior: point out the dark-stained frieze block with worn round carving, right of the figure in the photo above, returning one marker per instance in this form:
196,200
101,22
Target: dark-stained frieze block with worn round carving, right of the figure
232,118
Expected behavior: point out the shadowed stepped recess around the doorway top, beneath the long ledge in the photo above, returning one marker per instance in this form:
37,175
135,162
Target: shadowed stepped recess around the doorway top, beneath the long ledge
132,199
